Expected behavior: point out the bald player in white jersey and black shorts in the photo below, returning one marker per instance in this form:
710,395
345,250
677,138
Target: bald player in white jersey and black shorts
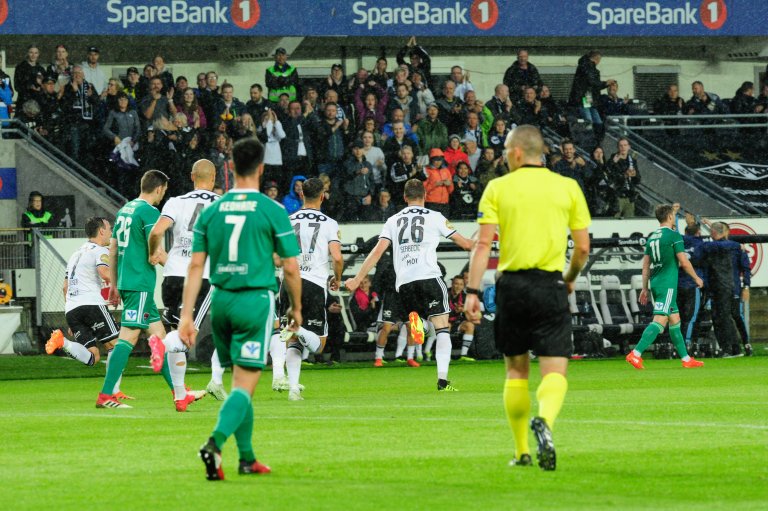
181,213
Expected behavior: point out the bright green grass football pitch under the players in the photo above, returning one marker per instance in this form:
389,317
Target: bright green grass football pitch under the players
664,438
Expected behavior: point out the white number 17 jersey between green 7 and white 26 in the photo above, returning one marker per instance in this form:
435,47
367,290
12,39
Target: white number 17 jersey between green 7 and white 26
314,231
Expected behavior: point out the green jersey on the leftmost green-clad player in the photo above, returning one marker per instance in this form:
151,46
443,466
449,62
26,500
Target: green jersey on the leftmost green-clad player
131,230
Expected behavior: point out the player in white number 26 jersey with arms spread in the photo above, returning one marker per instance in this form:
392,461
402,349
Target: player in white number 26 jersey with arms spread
414,234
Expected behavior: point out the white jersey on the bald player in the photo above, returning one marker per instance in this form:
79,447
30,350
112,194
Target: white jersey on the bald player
184,210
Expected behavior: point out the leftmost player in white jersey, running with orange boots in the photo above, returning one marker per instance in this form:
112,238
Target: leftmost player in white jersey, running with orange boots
85,308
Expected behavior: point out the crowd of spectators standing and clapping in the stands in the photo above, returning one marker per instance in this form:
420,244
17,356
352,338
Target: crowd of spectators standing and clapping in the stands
365,133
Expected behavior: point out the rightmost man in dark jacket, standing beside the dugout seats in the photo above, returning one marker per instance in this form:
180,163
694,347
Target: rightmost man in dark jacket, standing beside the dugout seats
717,257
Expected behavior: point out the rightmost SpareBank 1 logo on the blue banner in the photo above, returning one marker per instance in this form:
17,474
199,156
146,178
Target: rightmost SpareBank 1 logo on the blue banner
712,14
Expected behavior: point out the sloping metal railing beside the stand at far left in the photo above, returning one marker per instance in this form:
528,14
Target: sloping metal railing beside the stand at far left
50,151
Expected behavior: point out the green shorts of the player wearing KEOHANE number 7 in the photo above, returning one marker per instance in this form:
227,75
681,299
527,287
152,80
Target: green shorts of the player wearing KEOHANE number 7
242,326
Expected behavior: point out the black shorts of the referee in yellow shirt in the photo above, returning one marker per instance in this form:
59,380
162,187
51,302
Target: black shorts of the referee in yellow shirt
532,313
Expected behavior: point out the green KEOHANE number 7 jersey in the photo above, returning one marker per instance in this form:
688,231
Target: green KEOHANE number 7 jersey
240,232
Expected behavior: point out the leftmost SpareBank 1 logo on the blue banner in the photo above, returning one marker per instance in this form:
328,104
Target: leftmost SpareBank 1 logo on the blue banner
244,14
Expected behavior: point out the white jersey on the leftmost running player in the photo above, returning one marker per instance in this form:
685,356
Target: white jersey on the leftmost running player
83,281
